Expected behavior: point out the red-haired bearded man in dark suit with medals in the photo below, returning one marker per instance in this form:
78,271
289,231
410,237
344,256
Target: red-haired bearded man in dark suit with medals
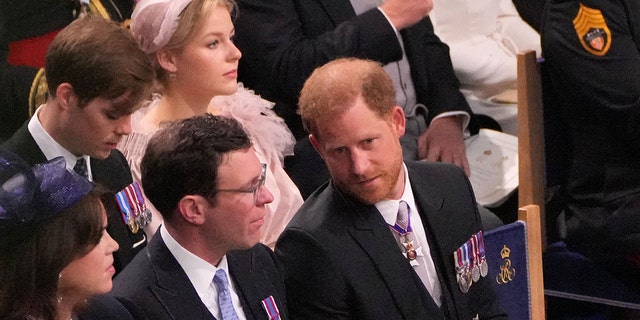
346,255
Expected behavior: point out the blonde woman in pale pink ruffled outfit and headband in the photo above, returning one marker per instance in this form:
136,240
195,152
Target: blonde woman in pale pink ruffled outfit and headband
190,43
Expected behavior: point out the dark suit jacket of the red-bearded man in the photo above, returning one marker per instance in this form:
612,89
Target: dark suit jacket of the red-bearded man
341,260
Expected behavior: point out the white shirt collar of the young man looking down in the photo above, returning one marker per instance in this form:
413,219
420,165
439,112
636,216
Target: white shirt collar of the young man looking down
50,147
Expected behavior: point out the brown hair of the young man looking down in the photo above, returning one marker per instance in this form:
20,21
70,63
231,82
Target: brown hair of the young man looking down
98,59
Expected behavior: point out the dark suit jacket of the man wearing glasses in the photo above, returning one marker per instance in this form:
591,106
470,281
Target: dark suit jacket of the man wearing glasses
158,287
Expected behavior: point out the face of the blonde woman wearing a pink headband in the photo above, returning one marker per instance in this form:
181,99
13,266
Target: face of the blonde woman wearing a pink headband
208,65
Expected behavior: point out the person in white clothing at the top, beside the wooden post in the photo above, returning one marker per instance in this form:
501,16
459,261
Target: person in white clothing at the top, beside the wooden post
484,38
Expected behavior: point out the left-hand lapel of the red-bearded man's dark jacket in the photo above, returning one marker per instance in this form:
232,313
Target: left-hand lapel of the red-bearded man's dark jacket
372,233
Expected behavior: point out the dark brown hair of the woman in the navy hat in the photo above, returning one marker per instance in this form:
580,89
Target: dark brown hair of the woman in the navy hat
33,255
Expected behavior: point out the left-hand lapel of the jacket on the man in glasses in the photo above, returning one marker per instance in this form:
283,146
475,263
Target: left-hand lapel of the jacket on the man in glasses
173,288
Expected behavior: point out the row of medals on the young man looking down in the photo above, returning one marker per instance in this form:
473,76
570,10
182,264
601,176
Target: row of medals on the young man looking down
135,213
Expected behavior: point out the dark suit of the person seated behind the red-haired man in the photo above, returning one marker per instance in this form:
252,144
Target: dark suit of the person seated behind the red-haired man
283,41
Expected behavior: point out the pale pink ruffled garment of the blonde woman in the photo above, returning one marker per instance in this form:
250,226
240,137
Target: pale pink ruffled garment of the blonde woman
271,139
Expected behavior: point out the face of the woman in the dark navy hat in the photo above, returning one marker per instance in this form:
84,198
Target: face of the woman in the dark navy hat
91,274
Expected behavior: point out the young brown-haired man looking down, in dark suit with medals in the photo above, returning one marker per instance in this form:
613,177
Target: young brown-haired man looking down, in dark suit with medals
97,77
